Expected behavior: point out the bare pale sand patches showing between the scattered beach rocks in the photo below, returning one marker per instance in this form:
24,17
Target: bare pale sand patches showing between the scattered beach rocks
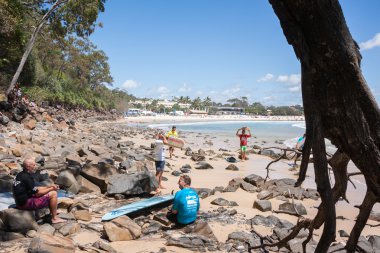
220,177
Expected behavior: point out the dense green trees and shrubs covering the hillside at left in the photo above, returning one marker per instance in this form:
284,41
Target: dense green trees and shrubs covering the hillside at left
64,67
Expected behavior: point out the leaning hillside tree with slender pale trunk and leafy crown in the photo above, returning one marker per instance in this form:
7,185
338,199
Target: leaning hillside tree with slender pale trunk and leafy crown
64,17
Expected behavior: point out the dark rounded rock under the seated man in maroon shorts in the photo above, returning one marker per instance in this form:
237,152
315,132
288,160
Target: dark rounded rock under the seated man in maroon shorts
21,221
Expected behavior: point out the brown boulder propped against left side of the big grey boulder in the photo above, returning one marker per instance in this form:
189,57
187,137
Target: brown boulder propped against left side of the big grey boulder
98,174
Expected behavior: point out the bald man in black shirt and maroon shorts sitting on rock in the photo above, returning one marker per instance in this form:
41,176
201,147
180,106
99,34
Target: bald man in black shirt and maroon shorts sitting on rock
28,196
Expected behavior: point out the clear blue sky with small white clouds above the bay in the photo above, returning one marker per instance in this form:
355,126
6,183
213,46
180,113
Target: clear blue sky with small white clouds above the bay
217,48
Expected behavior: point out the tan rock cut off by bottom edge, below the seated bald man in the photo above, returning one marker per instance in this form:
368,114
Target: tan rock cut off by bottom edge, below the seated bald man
51,244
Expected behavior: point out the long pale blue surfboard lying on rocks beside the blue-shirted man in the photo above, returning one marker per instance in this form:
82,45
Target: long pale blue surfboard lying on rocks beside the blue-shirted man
136,206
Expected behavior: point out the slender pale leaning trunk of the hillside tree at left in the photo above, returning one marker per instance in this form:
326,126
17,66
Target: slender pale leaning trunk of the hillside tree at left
30,44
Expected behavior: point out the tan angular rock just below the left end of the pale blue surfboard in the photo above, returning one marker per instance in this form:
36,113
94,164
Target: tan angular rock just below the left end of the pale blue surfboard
122,229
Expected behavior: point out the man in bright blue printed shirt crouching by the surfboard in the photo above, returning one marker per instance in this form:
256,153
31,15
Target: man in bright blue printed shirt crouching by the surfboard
186,203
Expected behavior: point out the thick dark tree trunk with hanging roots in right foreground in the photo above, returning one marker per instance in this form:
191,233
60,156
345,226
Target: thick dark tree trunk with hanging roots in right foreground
337,100
